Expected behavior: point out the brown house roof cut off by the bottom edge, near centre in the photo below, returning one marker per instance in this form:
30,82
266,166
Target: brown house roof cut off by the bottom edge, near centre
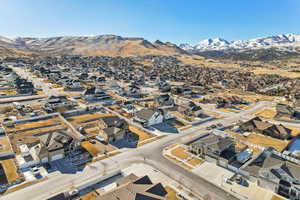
135,188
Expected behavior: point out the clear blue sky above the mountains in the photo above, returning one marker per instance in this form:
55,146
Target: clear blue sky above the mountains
177,21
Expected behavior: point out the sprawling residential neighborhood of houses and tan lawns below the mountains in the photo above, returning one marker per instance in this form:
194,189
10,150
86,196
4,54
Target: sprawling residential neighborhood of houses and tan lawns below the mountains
63,120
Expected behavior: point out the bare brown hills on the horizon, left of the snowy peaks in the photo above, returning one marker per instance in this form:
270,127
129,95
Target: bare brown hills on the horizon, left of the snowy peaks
101,45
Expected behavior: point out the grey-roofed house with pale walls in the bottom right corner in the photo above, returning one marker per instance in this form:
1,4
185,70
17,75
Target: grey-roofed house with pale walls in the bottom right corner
274,173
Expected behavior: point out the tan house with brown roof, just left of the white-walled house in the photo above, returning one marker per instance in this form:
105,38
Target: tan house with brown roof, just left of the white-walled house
113,128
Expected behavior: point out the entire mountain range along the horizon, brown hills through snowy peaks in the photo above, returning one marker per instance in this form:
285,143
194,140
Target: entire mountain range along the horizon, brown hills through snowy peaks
112,45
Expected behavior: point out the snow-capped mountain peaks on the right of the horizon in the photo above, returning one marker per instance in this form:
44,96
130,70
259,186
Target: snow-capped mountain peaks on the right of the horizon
284,41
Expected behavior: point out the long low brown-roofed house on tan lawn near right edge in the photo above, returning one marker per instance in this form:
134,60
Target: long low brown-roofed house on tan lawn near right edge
266,128
